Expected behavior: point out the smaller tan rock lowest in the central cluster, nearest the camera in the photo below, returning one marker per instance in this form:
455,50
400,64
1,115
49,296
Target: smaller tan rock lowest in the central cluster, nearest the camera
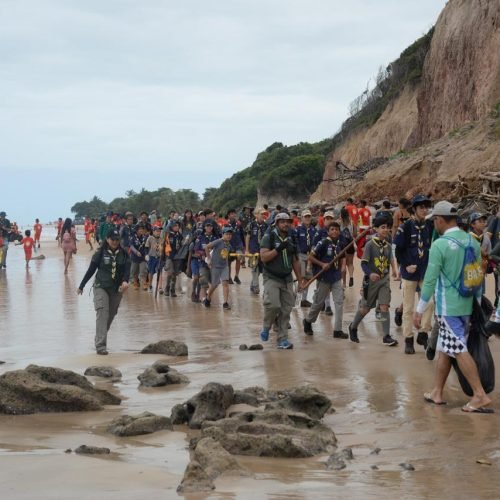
216,460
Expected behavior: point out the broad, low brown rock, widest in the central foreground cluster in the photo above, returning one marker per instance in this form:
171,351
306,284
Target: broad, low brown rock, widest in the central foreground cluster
271,433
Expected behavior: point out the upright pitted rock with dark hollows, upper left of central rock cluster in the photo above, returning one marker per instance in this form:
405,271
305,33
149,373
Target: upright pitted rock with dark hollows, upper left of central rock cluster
210,403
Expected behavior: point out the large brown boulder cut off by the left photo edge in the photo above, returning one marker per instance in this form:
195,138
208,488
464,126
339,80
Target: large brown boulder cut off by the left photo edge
45,389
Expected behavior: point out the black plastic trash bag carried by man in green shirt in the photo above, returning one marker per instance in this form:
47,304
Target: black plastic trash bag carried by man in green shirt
477,345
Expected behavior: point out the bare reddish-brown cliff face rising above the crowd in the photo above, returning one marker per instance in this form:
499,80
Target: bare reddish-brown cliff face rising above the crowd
460,83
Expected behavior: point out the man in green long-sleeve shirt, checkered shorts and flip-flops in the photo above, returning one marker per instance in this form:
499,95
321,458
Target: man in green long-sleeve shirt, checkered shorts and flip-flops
446,262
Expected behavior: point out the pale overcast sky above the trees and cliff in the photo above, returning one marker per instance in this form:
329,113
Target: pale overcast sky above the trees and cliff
100,97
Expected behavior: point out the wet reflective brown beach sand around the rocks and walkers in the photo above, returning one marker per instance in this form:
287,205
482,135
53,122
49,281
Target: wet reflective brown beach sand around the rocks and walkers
376,392
